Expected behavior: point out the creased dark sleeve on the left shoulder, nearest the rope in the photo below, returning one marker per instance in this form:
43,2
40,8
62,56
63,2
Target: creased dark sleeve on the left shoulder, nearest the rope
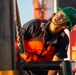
30,28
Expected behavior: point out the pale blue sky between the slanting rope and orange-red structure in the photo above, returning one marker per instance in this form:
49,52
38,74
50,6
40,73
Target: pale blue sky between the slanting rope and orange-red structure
25,10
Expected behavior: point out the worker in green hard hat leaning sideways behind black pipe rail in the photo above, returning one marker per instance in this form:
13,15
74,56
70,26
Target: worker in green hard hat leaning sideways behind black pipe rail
46,40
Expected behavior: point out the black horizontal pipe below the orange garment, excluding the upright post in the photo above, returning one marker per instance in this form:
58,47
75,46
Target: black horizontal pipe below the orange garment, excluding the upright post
42,65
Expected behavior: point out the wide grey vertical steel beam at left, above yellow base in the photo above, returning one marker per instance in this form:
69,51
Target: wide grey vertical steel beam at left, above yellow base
7,36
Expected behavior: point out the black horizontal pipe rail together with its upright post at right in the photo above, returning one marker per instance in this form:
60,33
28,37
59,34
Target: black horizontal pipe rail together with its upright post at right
65,66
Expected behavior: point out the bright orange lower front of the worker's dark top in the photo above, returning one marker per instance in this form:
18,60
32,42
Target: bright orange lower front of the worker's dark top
35,51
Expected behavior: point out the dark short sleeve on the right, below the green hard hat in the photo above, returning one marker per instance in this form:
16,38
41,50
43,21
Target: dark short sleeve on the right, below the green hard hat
62,48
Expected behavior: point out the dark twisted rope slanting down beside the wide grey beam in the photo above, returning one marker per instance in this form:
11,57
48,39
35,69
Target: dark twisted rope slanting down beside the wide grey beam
19,31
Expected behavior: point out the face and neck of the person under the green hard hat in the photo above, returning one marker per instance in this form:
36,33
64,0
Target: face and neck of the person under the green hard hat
59,23
